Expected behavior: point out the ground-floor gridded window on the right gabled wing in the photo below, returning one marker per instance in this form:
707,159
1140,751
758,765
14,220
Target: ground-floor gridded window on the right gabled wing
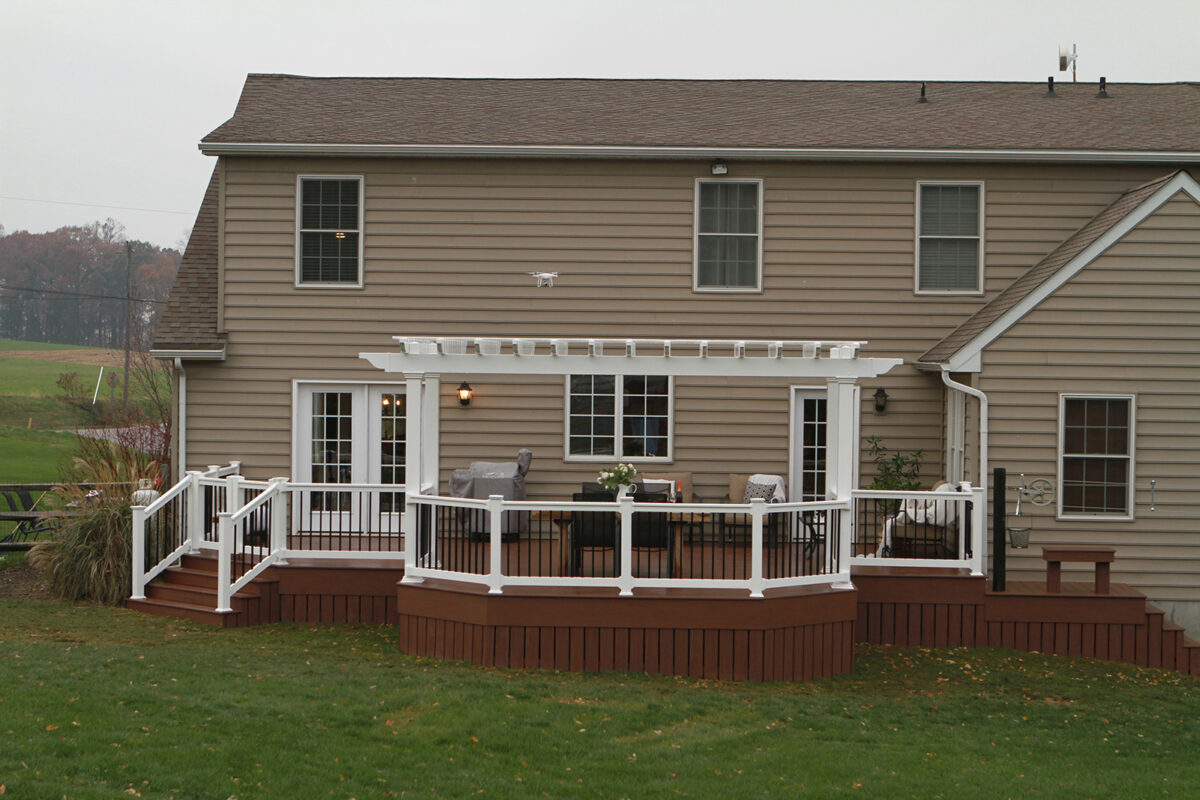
1097,456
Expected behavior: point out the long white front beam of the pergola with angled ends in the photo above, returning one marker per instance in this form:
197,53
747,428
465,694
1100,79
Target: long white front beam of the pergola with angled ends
623,365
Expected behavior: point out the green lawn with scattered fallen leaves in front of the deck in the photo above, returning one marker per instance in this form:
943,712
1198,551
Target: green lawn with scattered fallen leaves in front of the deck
99,702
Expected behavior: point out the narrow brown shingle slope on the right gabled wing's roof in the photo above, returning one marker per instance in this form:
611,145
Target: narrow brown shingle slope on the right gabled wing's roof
1042,272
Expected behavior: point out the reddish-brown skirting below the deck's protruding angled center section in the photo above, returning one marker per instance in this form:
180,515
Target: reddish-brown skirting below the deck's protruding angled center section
793,637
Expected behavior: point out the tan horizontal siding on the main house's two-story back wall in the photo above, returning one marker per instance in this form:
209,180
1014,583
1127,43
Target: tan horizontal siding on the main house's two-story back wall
449,245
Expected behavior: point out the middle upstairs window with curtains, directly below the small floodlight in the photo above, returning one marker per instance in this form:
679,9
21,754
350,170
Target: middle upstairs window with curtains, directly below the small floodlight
729,237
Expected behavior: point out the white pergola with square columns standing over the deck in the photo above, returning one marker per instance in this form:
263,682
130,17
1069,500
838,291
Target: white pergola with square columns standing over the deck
423,359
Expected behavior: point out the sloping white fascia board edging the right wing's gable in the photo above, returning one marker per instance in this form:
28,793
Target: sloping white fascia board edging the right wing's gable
968,358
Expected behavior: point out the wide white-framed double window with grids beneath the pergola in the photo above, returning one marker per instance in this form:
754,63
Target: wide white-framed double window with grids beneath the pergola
619,418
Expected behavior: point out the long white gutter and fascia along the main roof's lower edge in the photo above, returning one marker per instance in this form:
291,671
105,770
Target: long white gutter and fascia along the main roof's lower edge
760,154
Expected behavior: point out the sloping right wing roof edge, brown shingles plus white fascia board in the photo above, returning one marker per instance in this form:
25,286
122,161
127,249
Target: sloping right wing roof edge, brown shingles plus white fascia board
962,348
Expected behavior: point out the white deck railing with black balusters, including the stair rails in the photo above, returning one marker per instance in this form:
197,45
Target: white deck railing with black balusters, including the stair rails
497,544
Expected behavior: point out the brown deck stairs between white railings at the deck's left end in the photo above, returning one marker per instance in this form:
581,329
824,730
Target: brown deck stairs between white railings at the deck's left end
190,592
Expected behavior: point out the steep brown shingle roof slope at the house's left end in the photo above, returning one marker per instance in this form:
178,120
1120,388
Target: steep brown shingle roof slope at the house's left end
190,322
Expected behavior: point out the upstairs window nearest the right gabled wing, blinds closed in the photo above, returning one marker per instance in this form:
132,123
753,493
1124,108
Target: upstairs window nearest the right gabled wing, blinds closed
950,238
